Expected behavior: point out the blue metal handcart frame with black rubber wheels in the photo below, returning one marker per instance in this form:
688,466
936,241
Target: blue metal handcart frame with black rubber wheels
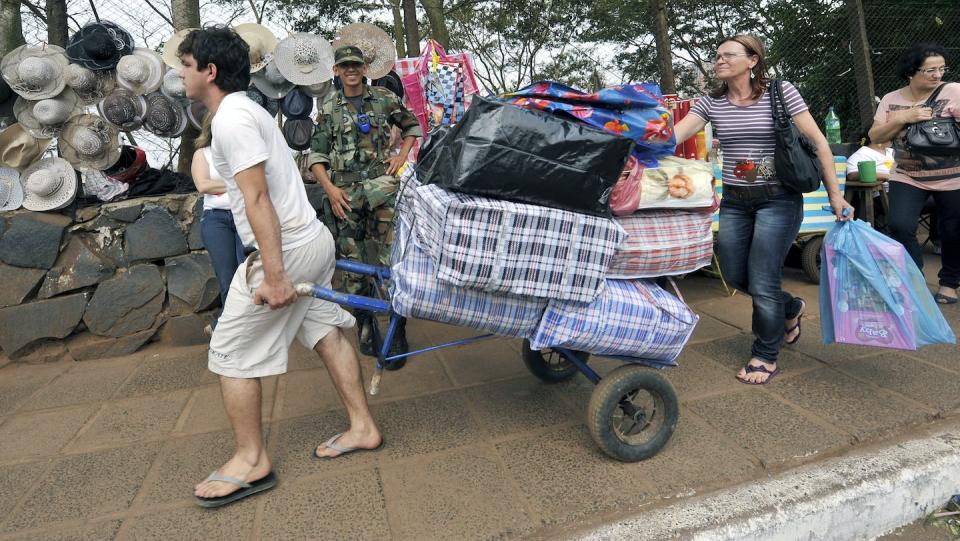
632,413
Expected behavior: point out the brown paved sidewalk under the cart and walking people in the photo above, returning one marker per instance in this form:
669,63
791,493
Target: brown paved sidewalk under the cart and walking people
476,447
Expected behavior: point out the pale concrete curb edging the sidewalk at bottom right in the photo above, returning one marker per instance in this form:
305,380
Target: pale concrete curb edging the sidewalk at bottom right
860,496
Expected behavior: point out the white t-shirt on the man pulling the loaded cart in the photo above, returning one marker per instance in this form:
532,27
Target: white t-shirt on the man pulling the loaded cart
244,134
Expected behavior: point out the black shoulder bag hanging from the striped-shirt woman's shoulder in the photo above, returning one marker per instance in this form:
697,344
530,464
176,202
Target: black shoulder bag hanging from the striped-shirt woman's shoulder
795,159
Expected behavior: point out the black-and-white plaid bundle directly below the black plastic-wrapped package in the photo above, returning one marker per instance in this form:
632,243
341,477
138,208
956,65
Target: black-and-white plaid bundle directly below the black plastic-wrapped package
504,247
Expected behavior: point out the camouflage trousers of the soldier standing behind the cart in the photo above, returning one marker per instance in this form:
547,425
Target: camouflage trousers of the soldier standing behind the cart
366,234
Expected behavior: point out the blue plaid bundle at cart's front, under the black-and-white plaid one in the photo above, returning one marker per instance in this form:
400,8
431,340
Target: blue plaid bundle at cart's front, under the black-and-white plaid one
416,292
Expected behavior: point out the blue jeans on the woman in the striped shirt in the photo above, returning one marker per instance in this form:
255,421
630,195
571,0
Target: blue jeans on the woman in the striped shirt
754,238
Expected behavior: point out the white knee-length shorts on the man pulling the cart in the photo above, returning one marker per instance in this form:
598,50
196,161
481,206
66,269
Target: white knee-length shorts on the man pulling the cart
252,341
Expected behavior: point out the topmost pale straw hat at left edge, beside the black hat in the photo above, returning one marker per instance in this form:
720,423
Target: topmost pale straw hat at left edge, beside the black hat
35,73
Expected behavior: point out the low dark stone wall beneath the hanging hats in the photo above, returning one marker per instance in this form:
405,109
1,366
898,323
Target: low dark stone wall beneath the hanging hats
106,282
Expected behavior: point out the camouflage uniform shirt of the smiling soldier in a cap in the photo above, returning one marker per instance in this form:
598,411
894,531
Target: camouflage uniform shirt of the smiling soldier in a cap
337,141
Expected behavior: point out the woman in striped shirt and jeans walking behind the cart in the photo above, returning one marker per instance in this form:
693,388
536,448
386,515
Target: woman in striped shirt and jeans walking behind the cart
759,217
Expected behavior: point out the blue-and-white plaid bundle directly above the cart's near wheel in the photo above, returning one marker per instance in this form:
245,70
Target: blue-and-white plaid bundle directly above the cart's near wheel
632,318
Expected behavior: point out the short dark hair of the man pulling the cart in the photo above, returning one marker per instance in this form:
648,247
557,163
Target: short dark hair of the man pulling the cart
224,48
